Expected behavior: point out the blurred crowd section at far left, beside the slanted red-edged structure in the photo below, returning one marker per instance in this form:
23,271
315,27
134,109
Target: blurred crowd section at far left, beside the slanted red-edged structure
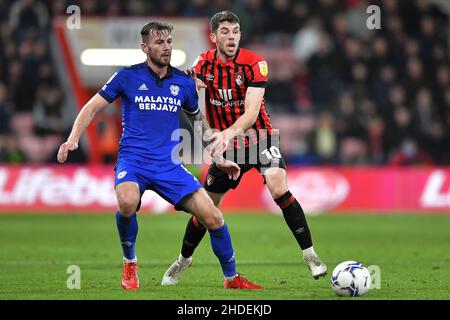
32,117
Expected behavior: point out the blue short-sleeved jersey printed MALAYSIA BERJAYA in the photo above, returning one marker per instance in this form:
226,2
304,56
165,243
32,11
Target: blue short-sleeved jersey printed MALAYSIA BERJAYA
150,108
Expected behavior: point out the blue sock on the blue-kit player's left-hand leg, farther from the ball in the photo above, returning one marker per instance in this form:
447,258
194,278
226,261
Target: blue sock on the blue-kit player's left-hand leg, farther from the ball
127,227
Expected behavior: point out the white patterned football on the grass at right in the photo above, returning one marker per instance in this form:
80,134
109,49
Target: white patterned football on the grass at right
350,279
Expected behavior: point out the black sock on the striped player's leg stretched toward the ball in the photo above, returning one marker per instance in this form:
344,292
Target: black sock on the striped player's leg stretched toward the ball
295,219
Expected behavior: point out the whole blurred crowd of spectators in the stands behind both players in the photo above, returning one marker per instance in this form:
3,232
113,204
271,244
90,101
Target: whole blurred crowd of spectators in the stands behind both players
340,92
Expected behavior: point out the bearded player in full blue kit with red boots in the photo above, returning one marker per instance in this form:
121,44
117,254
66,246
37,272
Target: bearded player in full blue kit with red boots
153,93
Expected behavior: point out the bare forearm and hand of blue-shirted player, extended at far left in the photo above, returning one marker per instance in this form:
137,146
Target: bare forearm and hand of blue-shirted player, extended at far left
87,113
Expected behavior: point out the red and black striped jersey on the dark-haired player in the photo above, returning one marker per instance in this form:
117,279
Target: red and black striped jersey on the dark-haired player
227,84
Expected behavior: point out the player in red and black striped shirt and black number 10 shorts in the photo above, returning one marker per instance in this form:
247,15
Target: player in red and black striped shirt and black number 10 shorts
234,80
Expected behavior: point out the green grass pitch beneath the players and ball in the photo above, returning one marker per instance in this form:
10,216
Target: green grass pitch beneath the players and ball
35,251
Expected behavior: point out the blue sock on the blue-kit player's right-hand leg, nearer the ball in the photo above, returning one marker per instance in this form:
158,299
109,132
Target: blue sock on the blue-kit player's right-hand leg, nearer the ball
221,244
